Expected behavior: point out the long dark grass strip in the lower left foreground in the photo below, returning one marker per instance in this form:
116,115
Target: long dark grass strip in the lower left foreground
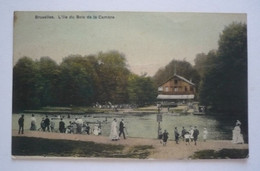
28,146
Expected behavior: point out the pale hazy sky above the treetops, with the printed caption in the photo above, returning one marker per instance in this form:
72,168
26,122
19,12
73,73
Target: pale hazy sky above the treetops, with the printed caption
148,40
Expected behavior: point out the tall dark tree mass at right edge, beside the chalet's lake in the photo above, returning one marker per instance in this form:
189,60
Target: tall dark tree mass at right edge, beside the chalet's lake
224,85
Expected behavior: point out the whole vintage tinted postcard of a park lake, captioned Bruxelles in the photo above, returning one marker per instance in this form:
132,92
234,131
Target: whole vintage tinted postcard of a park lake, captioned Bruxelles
130,85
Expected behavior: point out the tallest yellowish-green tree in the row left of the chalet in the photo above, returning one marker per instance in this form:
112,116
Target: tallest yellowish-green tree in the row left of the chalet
113,74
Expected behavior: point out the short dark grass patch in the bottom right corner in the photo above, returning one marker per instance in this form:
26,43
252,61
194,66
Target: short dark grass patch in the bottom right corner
222,154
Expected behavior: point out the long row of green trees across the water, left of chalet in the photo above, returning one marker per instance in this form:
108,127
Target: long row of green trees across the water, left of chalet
77,81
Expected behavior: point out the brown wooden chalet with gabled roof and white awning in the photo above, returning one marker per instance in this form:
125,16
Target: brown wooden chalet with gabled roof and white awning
176,89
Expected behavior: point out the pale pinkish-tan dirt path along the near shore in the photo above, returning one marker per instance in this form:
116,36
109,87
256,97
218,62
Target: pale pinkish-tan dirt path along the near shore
170,151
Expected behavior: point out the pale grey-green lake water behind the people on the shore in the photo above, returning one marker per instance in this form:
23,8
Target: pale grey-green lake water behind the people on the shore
144,125
